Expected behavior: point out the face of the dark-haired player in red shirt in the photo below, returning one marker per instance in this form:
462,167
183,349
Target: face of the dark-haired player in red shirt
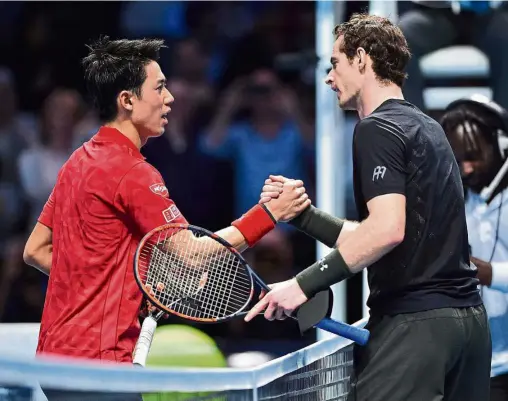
150,110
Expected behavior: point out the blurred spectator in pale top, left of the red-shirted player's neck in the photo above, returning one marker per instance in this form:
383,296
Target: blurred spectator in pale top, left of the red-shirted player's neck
39,165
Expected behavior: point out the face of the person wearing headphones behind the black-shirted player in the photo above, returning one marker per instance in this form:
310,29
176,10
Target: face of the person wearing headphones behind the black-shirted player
477,156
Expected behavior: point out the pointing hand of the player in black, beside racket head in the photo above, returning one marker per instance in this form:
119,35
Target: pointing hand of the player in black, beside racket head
279,302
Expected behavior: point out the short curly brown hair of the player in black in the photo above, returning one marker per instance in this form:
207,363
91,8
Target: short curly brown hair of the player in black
384,43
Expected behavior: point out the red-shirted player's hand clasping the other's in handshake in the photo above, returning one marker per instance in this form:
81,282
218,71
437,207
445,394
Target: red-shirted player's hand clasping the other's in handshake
292,200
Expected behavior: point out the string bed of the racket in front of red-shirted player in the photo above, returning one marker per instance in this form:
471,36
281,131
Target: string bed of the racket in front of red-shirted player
199,278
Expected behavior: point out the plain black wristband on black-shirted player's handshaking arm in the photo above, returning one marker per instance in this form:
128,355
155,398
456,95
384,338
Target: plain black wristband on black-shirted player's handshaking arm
320,225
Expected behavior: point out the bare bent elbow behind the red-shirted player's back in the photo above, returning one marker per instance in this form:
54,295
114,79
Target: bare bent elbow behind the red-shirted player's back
38,250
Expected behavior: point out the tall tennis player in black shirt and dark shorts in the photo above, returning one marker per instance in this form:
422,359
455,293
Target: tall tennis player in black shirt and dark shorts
430,337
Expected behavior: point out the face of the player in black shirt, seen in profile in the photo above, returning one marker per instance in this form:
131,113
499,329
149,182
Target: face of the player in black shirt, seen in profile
344,77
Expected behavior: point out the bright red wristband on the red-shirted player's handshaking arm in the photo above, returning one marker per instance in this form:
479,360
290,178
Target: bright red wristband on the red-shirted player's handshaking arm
255,224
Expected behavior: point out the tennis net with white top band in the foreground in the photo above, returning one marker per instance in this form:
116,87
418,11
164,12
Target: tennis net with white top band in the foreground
318,372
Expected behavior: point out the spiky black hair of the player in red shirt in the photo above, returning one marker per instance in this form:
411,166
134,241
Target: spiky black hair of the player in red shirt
116,65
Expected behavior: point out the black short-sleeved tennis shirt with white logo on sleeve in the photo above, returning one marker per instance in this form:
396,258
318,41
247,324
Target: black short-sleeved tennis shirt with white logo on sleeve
399,149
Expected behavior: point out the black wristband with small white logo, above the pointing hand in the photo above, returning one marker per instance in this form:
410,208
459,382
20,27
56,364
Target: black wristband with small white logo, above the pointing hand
323,274
